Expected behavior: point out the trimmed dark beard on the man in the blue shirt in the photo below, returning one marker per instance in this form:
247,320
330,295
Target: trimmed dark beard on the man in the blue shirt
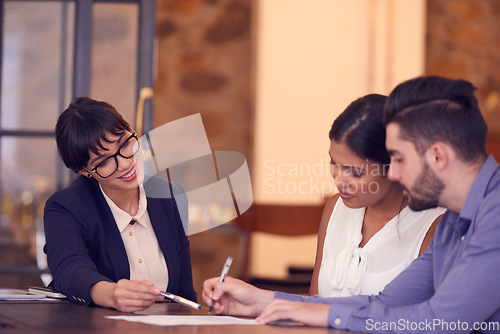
426,191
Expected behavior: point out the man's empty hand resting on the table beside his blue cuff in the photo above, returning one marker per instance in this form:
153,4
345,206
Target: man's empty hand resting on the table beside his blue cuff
311,314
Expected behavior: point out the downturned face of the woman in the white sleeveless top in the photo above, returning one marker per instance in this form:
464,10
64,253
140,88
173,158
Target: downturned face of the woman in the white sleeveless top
360,182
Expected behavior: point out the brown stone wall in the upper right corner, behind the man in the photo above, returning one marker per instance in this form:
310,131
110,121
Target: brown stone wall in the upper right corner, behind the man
463,41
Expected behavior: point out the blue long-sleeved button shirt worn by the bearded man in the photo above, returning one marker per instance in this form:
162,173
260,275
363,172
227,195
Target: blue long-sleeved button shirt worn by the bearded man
454,287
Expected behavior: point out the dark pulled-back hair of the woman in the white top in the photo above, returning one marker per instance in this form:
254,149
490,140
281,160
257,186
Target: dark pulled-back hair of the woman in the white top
360,127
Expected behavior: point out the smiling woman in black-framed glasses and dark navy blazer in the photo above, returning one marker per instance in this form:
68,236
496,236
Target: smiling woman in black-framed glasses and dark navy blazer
108,244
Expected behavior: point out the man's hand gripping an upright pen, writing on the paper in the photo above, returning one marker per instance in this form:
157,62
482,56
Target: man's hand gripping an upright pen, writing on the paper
235,297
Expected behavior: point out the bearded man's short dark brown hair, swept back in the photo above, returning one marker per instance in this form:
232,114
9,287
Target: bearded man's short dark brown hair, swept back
431,109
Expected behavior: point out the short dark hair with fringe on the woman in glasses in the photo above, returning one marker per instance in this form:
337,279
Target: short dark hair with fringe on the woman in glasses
83,127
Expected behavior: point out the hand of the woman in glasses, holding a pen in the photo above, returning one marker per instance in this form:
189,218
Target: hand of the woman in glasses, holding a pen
125,295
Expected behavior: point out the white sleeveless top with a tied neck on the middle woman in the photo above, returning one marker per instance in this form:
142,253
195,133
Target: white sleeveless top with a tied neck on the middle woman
346,269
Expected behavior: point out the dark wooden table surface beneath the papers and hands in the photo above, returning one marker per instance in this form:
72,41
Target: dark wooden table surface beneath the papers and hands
66,317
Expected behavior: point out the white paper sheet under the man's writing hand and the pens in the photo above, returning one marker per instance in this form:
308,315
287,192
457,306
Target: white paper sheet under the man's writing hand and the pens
177,320
